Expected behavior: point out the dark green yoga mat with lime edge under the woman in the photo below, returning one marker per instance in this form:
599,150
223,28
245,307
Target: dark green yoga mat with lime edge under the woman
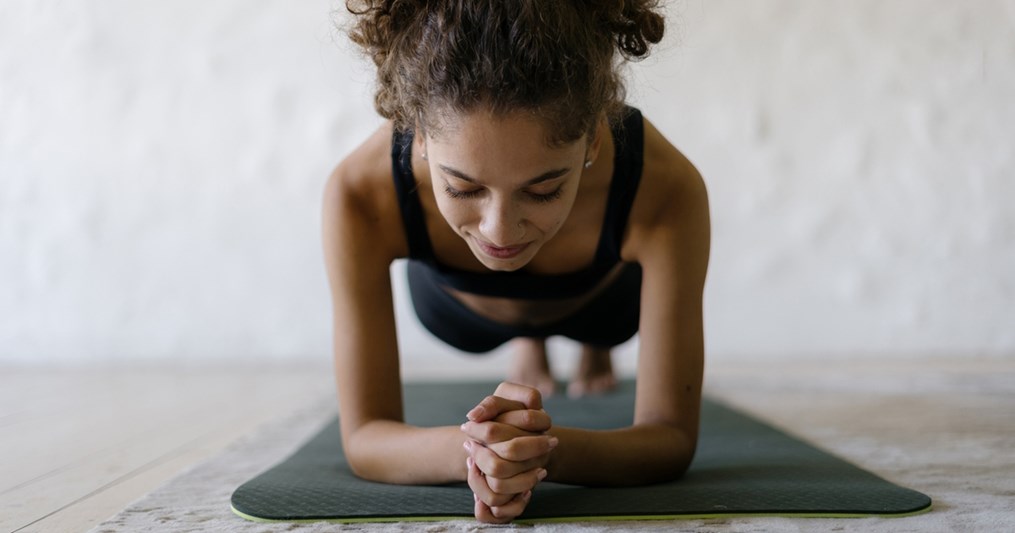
742,468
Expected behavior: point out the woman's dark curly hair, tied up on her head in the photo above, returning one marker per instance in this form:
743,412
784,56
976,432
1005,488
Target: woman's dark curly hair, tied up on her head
558,59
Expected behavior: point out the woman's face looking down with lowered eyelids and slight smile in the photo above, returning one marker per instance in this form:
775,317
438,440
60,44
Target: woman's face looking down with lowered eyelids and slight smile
500,186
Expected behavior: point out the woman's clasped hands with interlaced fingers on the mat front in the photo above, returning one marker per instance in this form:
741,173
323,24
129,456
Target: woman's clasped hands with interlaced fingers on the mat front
508,451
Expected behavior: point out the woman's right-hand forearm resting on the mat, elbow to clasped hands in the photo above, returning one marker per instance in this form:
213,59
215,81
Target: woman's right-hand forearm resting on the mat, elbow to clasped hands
632,456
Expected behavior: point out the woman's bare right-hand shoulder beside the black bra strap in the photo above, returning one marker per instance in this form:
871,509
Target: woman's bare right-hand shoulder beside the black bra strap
671,206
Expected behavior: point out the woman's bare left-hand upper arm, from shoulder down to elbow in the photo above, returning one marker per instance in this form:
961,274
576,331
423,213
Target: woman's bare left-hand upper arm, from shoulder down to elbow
360,244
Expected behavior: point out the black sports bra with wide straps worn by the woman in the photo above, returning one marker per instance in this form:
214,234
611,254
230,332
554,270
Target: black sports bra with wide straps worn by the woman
629,139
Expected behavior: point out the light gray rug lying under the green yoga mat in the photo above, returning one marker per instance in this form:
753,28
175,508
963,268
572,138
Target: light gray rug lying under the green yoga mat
966,499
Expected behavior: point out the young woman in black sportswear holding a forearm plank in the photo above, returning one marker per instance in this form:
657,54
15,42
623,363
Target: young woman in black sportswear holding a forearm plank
530,203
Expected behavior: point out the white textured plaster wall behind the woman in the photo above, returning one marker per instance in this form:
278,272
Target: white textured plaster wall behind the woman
161,169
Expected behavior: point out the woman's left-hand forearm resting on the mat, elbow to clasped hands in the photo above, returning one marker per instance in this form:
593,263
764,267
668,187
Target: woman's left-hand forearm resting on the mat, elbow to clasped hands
393,452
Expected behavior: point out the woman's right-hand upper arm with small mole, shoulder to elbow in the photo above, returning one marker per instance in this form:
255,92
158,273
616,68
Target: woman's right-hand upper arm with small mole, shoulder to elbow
670,239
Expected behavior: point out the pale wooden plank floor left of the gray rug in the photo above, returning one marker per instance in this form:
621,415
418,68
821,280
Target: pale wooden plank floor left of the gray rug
77,446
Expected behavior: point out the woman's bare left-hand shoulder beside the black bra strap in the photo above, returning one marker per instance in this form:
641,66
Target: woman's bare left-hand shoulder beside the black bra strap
360,198
